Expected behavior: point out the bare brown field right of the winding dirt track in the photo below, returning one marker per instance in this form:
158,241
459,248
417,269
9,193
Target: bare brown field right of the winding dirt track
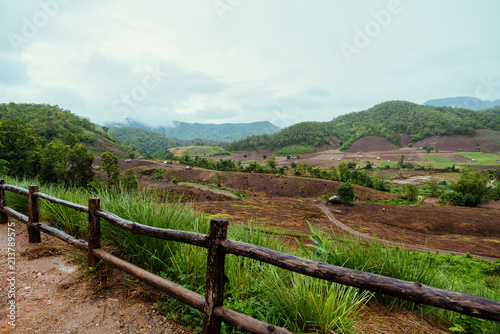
472,230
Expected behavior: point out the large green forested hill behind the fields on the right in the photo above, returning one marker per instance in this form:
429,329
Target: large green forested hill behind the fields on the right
385,120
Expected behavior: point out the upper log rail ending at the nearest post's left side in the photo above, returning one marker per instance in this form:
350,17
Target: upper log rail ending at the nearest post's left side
192,238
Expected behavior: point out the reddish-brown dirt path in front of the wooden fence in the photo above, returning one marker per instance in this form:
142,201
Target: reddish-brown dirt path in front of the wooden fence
54,295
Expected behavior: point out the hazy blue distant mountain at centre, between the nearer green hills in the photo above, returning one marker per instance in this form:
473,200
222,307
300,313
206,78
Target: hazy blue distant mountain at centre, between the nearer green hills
226,132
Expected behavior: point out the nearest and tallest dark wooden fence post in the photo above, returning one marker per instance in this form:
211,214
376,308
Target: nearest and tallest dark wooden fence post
214,289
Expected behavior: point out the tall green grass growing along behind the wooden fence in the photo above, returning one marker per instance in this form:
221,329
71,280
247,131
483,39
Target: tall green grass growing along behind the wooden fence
272,295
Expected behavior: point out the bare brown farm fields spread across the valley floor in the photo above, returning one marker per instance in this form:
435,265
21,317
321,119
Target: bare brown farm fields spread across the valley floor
289,203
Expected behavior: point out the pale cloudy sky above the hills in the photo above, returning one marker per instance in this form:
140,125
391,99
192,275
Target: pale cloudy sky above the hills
222,61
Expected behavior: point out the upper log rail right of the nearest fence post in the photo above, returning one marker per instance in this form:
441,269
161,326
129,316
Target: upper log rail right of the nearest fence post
419,293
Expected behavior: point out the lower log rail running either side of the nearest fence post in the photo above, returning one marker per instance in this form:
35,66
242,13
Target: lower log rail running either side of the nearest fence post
186,296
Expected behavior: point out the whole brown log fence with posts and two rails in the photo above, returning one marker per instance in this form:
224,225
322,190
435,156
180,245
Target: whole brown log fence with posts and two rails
218,247
